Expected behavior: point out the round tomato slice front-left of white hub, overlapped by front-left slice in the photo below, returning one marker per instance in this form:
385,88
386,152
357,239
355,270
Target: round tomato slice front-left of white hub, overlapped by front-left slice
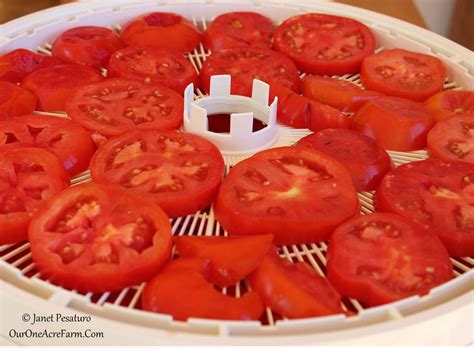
181,172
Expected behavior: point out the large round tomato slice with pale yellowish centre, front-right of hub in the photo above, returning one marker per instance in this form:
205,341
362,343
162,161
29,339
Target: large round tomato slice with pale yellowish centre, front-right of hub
297,194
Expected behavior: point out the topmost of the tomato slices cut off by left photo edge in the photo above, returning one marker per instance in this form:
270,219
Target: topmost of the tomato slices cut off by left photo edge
17,64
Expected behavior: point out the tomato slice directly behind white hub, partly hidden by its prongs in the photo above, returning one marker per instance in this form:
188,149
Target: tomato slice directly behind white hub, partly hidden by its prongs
245,64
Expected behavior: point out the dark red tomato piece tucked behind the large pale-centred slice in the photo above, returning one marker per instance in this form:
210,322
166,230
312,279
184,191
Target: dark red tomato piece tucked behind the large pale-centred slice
366,161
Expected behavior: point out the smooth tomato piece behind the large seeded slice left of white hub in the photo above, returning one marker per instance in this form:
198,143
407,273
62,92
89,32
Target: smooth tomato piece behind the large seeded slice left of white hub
56,84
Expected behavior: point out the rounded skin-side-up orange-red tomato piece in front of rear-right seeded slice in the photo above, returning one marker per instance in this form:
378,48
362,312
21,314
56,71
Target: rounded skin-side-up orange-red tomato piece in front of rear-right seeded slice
395,123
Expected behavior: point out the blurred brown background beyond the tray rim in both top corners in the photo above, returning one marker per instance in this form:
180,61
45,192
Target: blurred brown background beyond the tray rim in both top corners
453,19
